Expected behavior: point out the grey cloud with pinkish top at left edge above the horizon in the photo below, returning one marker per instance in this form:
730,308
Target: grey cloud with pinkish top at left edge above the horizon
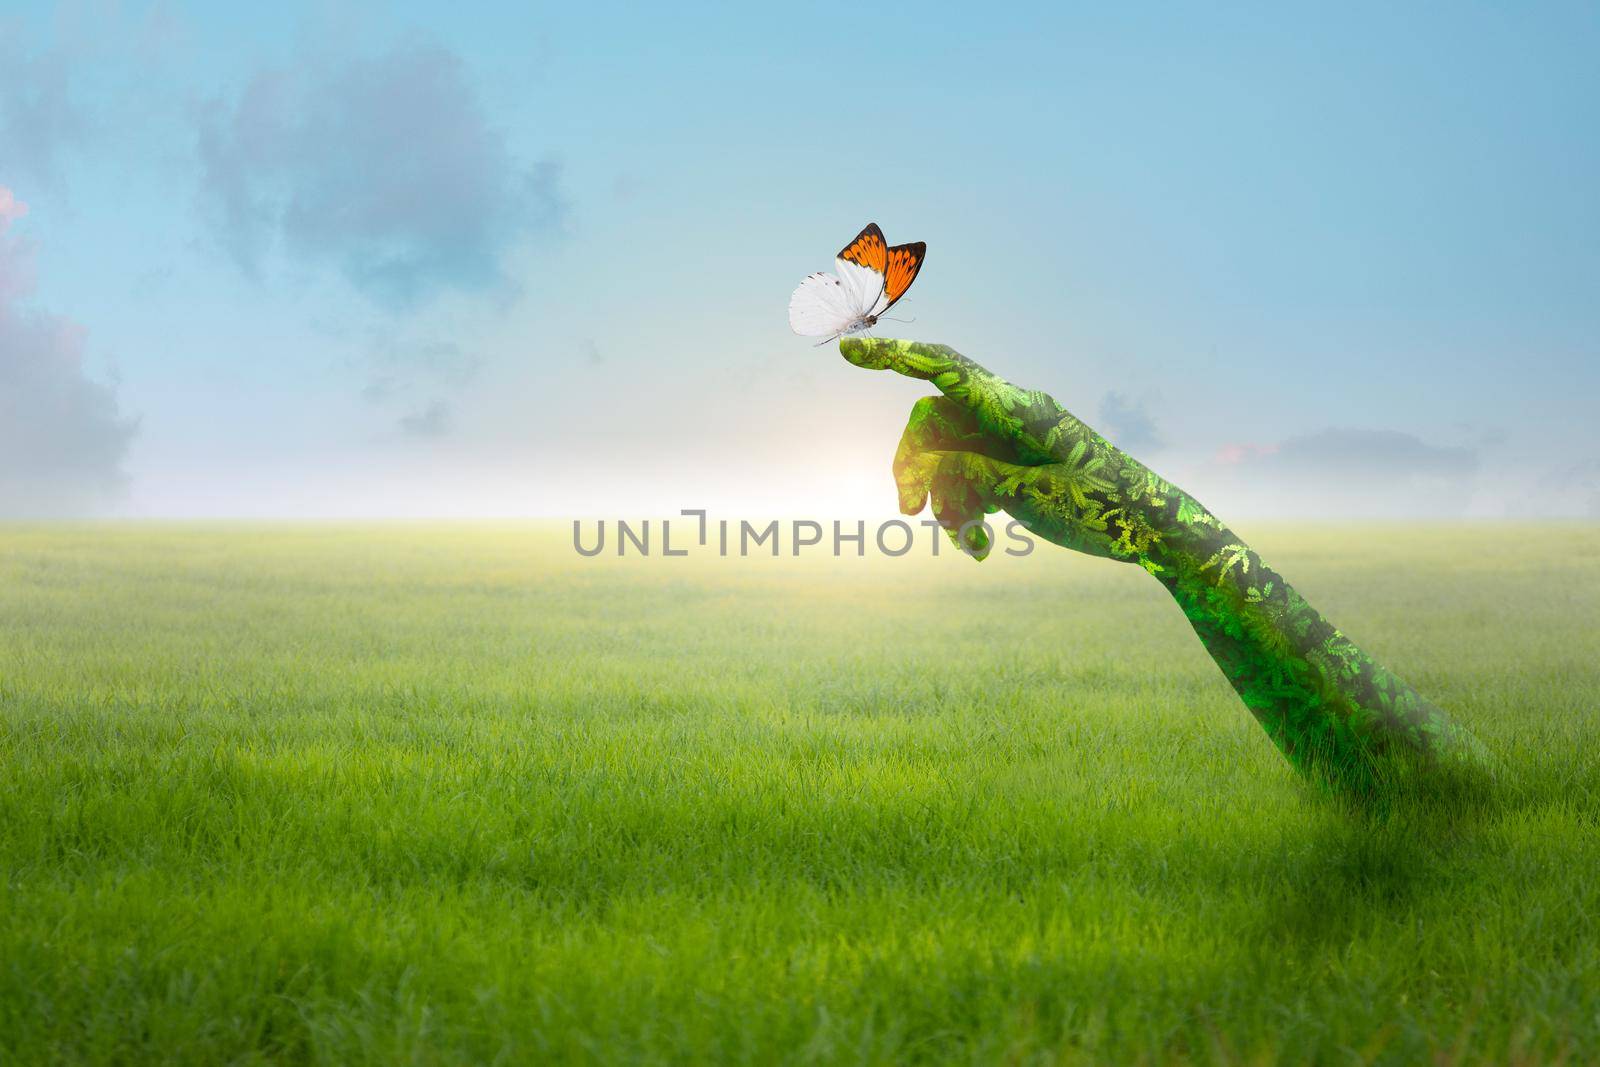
63,438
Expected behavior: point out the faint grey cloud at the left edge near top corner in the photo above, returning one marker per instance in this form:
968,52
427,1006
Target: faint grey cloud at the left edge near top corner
39,122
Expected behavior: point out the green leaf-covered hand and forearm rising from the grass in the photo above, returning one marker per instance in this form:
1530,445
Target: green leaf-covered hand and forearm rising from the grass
986,446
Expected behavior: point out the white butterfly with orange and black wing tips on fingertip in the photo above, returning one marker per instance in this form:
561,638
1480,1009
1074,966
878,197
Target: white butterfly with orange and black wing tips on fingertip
871,278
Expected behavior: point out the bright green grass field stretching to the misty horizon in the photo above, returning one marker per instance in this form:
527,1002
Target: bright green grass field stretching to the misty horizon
425,794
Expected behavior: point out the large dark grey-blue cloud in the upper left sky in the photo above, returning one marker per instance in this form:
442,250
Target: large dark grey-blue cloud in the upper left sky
383,169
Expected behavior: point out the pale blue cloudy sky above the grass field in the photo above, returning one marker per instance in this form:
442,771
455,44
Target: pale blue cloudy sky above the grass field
393,260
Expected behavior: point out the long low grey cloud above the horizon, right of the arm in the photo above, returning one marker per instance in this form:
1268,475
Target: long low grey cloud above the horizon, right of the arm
1345,473
